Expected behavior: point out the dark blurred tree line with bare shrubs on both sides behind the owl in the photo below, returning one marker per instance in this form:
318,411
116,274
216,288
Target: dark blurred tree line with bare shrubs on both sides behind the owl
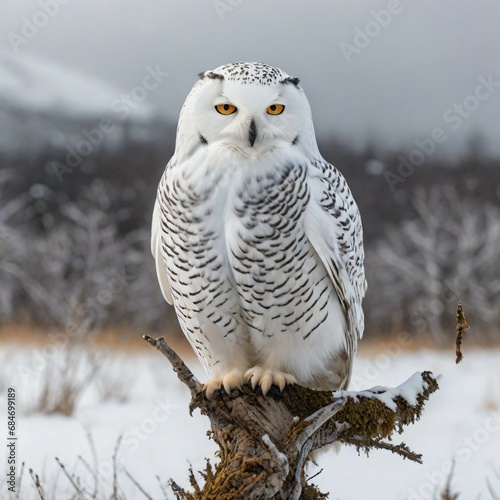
74,233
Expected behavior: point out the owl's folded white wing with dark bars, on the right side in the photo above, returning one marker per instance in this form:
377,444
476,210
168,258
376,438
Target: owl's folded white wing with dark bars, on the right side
333,226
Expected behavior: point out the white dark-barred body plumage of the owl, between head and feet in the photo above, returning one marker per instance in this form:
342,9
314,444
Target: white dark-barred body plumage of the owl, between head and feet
250,288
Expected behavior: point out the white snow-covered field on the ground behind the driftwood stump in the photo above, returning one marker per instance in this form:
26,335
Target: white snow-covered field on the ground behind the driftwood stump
138,396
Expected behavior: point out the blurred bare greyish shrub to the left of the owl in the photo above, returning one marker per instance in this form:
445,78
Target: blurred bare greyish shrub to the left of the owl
72,267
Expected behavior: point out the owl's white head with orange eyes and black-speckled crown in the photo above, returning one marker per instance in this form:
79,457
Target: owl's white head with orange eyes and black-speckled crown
251,108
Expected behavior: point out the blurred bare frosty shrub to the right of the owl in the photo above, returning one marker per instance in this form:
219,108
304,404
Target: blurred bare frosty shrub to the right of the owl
447,251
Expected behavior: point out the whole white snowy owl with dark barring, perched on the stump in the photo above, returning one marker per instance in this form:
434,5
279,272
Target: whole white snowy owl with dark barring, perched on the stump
257,239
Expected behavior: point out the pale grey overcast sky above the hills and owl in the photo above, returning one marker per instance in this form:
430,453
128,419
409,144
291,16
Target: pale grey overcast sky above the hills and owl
410,63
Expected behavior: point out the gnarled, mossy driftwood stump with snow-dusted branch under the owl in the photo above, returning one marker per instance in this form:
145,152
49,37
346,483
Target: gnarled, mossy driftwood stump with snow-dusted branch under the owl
265,441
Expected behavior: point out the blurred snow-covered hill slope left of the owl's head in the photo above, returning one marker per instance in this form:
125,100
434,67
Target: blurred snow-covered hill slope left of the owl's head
46,104
